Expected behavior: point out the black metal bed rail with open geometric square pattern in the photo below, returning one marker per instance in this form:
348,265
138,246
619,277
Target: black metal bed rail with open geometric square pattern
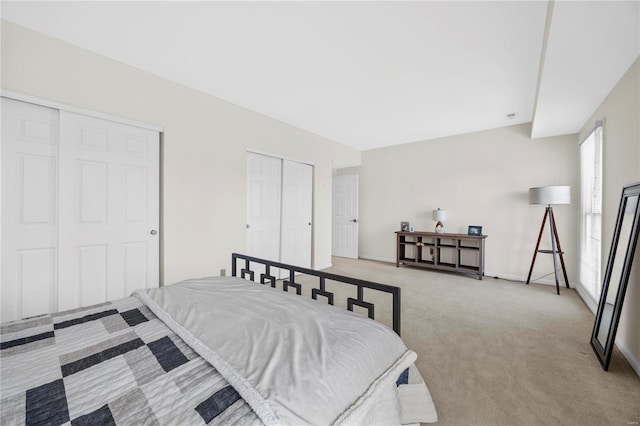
321,290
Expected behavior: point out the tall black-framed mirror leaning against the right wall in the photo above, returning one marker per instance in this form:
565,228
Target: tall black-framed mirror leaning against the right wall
616,278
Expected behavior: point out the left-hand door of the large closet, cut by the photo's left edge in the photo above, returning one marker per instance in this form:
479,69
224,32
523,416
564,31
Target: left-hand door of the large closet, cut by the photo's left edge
29,209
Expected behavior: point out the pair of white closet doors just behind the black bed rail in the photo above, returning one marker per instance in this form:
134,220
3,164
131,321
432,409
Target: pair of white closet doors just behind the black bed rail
279,209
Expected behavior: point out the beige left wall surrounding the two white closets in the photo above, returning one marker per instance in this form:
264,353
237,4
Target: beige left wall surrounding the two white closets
205,142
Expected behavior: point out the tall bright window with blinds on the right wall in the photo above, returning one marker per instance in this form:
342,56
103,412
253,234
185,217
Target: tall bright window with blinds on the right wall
591,211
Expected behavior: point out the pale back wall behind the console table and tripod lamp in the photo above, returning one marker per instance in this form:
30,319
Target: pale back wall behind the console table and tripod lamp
480,178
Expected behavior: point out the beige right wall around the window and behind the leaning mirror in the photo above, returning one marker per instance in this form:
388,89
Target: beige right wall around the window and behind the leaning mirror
621,166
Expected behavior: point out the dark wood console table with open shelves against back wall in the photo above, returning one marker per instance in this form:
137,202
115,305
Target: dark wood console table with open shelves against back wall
448,252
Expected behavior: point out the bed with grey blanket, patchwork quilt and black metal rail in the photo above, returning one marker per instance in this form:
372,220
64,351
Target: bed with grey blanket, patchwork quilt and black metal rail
217,350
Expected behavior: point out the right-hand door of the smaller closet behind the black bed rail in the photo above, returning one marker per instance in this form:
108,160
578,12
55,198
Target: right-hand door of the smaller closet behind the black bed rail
297,196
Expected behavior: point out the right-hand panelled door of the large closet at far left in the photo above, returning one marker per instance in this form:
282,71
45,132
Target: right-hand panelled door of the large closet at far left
109,210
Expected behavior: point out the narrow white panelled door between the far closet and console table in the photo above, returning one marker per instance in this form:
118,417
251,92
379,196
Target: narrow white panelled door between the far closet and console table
345,216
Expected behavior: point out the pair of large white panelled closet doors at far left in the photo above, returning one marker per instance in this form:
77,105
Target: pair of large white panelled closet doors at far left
80,199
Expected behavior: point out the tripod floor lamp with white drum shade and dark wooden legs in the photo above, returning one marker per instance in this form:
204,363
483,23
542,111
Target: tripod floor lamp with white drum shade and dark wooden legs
549,195
